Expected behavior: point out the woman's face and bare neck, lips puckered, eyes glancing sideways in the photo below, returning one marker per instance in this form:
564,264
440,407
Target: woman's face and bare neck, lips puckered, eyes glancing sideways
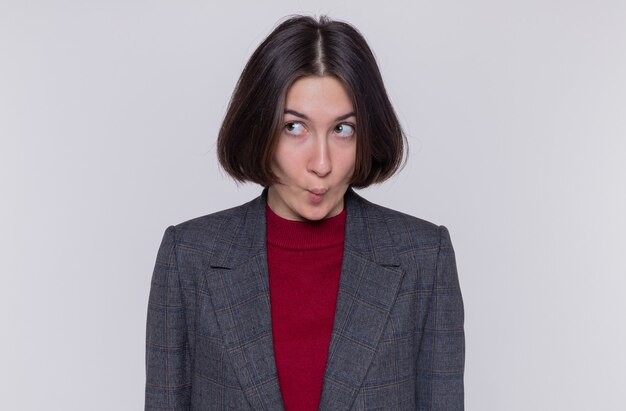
316,150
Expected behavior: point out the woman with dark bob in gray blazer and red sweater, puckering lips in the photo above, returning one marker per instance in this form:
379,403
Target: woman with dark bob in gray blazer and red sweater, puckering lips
308,297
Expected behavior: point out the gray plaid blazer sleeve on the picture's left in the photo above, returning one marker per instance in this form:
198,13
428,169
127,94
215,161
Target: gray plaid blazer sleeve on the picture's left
168,365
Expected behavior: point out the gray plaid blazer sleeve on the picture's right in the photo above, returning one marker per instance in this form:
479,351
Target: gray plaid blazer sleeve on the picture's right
441,357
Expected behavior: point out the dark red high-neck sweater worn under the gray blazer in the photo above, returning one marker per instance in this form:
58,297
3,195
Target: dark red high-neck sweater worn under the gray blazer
304,261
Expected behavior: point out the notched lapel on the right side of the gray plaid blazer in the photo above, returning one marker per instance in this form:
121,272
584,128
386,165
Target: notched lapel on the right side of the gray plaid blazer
369,282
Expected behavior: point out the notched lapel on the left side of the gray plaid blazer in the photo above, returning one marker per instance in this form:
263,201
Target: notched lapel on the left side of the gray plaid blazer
237,281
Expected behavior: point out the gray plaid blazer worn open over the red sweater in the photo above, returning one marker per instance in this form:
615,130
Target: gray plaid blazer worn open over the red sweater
397,341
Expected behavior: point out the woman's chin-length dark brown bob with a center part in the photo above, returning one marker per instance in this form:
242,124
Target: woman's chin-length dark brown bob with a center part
303,46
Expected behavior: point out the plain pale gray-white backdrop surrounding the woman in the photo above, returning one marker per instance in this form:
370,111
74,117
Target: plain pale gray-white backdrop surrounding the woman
516,116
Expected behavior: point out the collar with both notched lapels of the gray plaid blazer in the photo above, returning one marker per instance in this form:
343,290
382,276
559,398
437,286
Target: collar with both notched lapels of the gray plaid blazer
237,281
